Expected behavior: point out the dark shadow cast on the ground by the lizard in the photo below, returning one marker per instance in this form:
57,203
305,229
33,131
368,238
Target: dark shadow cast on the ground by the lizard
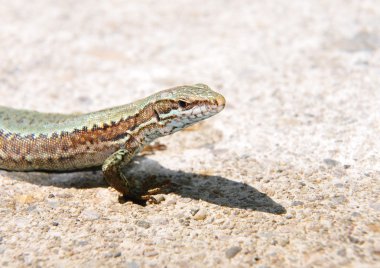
213,189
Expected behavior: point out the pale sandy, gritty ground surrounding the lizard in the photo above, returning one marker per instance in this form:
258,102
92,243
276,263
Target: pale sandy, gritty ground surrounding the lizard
287,175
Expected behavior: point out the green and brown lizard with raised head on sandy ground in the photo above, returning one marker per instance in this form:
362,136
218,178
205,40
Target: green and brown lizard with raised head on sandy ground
109,138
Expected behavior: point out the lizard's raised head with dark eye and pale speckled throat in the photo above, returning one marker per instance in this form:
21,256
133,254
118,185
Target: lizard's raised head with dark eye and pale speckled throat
180,107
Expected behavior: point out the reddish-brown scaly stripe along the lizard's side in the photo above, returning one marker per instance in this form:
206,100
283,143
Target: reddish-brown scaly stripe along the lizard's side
67,148
